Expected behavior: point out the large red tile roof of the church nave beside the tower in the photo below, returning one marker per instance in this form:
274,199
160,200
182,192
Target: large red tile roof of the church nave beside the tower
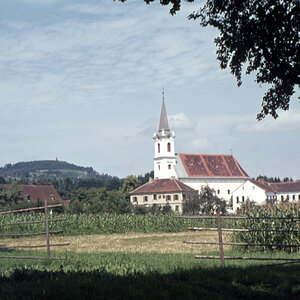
210,165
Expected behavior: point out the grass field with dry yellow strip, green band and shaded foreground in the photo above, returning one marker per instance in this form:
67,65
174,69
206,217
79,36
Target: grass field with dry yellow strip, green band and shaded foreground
143,266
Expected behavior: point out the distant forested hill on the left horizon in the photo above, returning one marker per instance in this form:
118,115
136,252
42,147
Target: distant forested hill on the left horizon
46,168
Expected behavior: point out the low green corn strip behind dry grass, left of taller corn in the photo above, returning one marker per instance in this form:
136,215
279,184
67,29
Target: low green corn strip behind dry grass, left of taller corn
99,223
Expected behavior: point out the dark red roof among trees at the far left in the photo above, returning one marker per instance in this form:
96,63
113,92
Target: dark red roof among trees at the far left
37,193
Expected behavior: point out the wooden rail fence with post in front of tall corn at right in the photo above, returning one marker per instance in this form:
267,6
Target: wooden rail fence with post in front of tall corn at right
221,243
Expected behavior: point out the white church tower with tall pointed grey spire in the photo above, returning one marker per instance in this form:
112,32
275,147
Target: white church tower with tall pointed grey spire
164,150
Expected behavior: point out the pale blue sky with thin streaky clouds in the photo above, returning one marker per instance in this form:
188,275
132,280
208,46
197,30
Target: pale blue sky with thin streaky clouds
82,81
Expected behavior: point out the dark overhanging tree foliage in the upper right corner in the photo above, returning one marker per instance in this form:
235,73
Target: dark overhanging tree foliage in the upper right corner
262,36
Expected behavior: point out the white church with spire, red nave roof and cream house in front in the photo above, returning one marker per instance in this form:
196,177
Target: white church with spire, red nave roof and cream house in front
177,176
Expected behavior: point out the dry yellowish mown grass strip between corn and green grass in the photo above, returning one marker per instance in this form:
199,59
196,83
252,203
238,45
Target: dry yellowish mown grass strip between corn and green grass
130,242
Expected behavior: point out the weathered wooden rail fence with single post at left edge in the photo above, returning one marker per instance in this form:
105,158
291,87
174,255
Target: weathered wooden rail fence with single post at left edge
47,232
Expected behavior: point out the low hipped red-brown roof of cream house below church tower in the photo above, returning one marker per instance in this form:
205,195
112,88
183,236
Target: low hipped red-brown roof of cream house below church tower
162,186
